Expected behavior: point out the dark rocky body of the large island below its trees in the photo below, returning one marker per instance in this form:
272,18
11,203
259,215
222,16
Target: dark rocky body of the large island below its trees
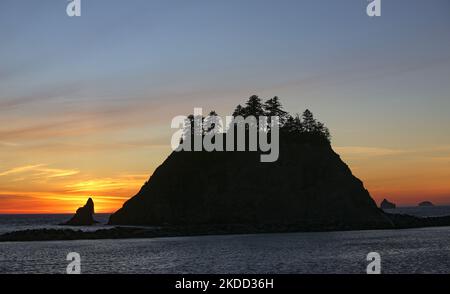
309,185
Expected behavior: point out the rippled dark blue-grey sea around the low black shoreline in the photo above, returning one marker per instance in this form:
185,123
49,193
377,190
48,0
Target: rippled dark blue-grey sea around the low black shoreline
425,250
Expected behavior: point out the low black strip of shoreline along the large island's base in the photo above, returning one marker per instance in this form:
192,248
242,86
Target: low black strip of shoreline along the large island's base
128,232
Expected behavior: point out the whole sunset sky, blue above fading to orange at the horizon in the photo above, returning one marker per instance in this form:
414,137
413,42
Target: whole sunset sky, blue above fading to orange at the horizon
86,102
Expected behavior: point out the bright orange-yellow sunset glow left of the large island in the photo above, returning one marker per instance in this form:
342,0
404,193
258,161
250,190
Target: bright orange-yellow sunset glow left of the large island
50,195
